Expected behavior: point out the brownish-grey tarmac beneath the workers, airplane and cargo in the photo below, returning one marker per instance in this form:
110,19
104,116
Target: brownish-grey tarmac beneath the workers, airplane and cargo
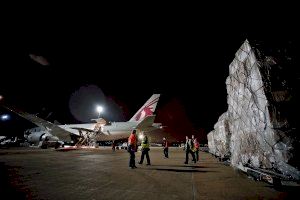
28,173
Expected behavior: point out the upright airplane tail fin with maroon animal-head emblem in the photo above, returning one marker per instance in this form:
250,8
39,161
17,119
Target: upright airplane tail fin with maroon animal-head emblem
147,109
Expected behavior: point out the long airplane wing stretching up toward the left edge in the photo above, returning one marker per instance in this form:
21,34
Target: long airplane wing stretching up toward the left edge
52,128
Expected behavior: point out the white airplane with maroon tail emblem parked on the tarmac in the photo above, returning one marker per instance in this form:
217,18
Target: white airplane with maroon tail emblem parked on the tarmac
47,132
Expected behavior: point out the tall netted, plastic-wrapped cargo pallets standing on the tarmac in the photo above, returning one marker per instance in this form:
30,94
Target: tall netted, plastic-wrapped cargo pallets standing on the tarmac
257,130
